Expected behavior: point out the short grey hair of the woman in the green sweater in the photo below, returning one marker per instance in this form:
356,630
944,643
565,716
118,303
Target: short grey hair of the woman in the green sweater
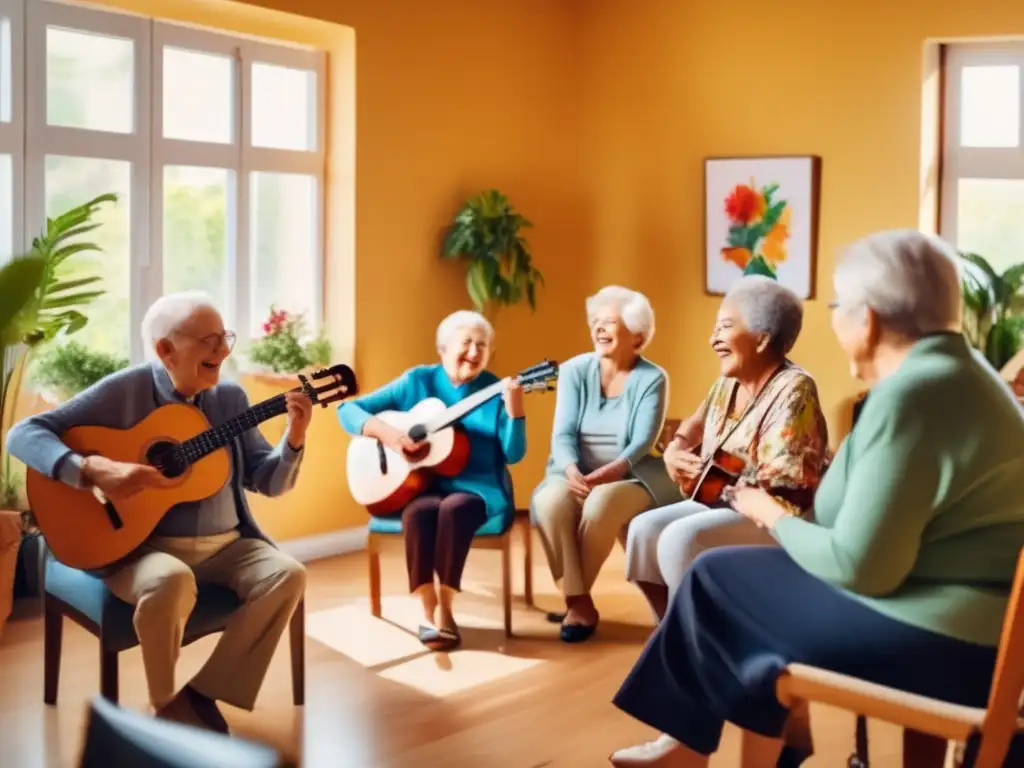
909,279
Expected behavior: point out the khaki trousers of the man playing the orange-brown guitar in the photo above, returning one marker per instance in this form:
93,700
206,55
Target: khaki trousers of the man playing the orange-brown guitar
162,581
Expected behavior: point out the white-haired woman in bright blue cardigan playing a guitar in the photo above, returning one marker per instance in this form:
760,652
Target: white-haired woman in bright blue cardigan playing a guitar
440,525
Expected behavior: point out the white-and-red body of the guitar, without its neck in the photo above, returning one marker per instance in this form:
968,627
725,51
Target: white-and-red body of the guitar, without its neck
386,482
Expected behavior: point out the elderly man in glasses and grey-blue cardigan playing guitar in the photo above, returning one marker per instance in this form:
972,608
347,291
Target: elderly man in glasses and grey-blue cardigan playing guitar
212,540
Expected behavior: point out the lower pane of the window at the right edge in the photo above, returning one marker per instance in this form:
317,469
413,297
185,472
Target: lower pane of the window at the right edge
990,220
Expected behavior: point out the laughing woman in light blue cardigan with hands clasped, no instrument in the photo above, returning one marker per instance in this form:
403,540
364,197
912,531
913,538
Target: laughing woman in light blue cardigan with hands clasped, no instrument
609,415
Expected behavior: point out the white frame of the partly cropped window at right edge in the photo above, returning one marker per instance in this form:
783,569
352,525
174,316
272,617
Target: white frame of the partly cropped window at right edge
974,162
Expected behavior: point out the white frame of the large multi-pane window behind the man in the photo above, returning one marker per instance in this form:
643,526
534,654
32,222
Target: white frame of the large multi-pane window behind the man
149,152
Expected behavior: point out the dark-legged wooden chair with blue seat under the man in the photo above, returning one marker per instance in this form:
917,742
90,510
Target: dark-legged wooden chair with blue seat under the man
86,600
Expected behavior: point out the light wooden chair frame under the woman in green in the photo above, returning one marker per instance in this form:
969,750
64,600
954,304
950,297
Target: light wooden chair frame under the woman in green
992,729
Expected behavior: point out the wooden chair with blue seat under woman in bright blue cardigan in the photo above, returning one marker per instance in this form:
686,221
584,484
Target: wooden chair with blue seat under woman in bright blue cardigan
385,530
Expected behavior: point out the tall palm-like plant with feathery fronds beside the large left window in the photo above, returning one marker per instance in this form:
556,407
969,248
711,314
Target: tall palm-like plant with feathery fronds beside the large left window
54,308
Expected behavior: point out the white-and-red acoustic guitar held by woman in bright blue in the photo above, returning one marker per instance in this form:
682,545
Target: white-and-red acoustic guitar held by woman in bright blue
386,482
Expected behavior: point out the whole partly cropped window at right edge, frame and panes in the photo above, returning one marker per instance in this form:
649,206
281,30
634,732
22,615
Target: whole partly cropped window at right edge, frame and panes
983,185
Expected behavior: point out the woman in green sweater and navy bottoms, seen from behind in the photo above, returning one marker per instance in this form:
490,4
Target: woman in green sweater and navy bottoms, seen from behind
904,577
